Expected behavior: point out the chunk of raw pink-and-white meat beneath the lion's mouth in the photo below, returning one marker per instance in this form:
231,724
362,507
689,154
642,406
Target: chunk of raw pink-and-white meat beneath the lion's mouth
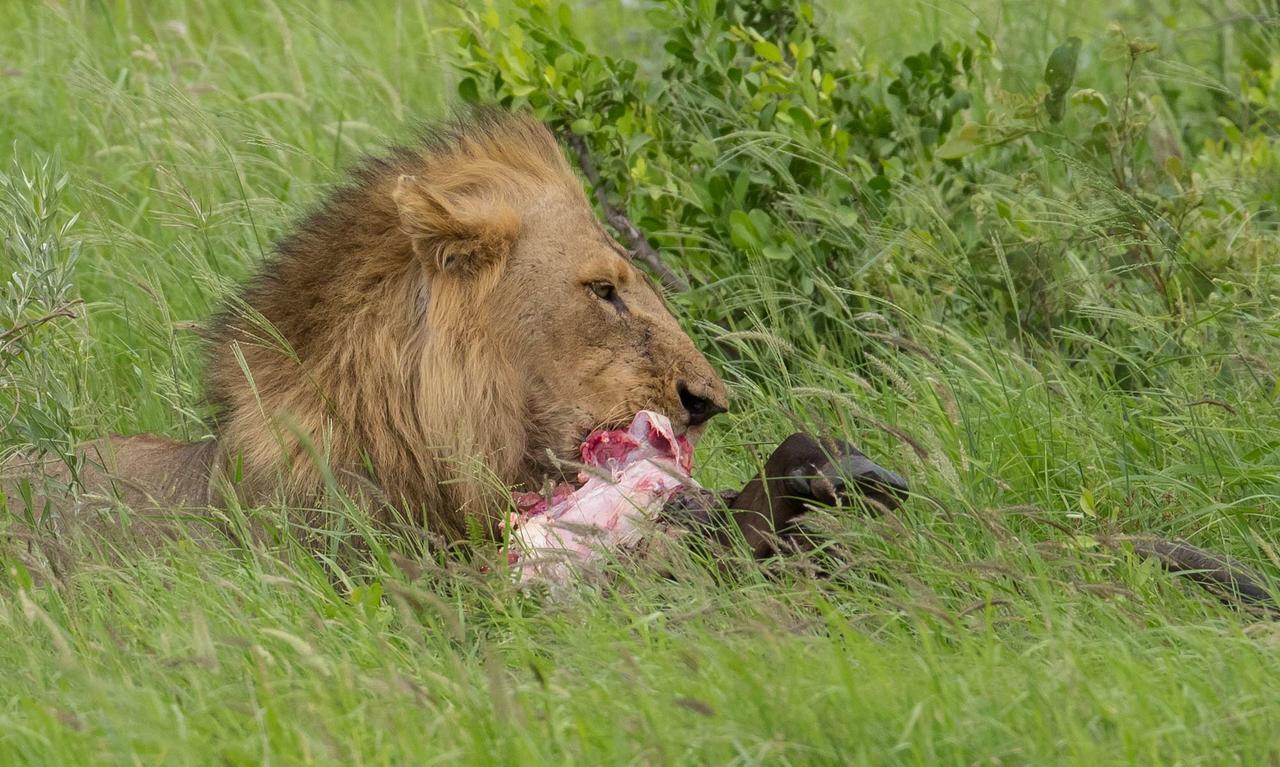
627,477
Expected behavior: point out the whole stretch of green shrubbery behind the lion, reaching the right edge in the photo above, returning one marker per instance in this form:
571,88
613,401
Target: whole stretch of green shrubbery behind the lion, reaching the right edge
753,149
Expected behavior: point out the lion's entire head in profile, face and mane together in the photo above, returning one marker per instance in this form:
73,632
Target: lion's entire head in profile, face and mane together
456,311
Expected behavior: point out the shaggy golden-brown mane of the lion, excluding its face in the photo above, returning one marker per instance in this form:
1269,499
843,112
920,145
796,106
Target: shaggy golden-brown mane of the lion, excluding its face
358,346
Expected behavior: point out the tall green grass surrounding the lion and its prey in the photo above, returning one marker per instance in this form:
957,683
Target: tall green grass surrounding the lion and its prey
980,626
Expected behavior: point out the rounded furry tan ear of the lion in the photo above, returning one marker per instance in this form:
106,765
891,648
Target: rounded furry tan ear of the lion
456,234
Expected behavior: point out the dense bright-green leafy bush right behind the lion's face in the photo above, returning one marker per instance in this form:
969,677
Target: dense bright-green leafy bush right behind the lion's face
753,145
